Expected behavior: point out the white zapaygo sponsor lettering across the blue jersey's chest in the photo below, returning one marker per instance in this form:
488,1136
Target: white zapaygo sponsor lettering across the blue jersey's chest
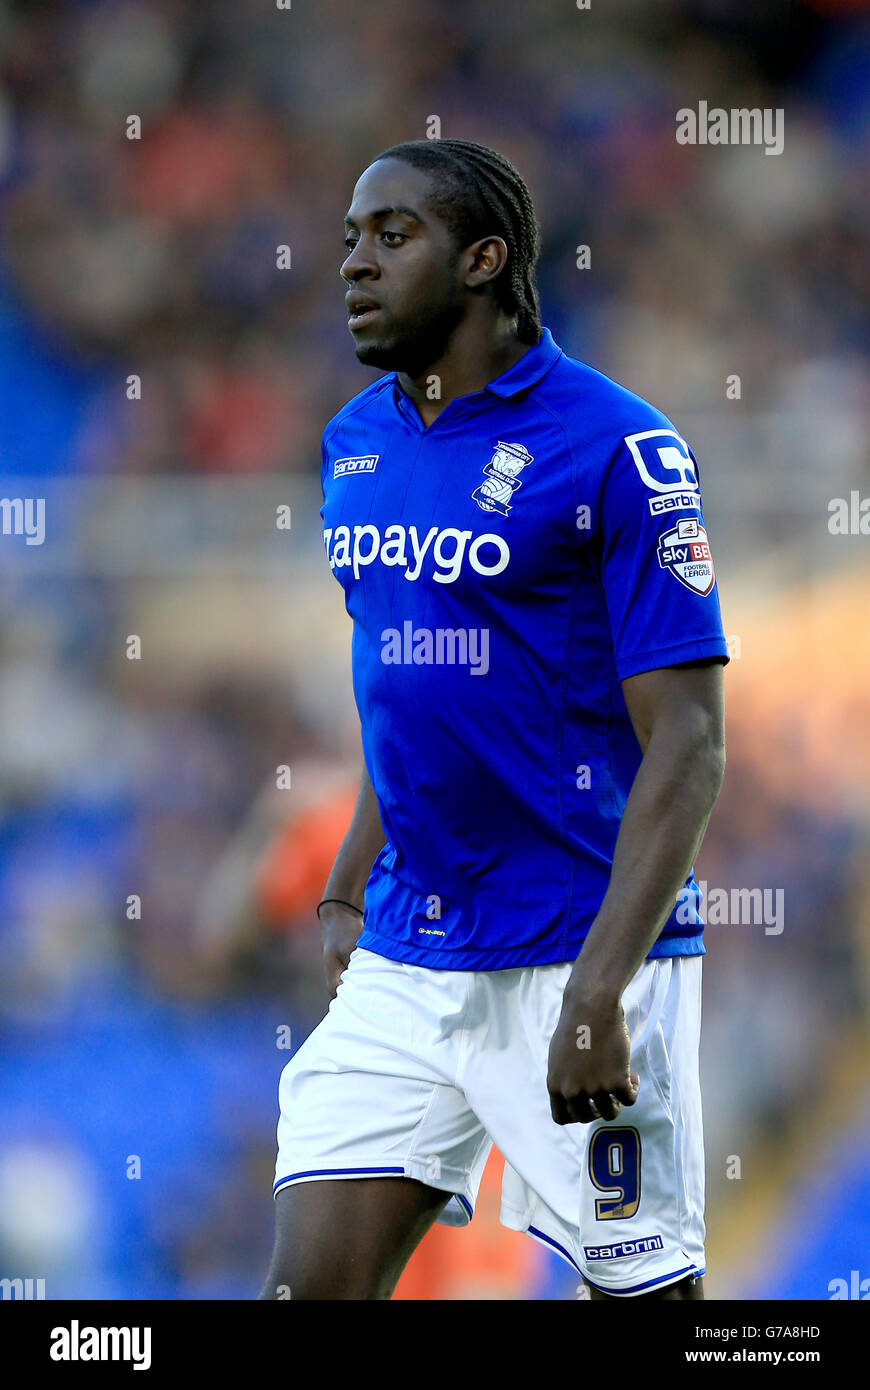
443,551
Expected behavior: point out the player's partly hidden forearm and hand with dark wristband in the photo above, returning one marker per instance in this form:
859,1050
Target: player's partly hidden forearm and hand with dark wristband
341,925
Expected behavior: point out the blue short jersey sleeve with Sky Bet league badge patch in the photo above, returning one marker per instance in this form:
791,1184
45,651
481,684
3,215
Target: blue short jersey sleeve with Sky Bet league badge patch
657,564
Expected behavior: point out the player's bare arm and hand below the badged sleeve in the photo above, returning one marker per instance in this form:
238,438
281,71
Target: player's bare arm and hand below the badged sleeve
679,718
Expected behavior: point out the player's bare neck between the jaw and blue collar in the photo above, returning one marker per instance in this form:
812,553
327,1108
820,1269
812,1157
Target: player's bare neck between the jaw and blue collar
479,352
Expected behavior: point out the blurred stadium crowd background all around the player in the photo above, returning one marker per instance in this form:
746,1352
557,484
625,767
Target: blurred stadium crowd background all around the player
158,1036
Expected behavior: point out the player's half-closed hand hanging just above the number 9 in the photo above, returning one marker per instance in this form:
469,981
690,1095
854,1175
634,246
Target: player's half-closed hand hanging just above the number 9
589,1075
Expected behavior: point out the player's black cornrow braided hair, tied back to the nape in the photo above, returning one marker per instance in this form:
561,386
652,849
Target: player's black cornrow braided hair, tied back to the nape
479,193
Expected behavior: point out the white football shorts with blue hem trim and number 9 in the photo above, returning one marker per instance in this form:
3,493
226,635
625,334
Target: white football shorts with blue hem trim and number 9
418,1072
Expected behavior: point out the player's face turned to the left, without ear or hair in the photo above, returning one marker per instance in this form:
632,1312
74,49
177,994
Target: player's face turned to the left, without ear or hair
405,293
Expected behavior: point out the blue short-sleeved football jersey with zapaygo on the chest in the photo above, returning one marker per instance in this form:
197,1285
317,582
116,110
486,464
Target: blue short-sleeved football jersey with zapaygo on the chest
505,569
